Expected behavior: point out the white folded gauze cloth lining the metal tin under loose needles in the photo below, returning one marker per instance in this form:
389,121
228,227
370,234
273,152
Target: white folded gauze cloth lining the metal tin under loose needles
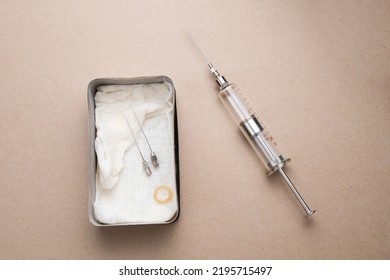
124,194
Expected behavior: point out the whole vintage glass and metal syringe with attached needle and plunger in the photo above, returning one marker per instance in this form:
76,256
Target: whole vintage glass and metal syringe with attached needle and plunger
253,131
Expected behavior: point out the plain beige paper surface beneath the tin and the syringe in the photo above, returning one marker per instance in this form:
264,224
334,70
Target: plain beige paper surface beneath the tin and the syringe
316,72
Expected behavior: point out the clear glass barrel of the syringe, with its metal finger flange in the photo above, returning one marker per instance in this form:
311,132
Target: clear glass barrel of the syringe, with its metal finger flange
252,129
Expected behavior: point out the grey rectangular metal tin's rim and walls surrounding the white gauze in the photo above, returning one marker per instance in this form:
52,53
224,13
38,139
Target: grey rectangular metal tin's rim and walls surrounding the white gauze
92,89
